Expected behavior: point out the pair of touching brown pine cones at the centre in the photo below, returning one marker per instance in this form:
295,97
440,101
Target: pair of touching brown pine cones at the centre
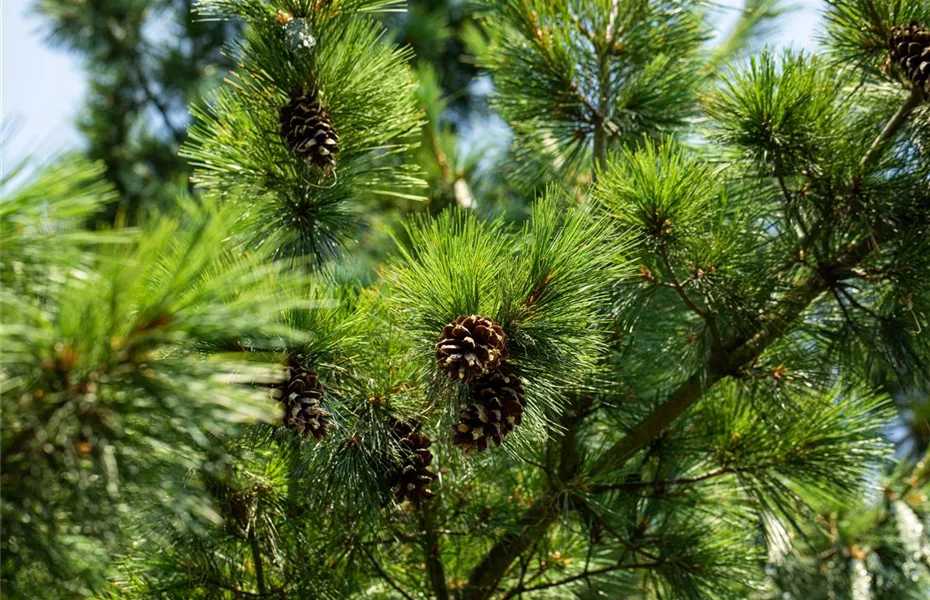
473,350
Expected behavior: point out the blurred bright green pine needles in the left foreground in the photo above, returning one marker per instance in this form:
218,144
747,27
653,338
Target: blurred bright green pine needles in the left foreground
106,396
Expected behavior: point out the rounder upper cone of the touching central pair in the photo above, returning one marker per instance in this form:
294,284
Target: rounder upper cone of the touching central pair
471,346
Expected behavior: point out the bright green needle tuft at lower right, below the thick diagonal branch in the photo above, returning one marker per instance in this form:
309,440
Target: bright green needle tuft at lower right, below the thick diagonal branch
824,449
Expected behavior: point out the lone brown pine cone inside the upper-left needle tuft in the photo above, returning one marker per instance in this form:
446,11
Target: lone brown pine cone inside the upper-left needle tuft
308,130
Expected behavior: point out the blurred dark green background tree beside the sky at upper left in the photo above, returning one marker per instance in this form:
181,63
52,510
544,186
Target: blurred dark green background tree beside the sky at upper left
146,61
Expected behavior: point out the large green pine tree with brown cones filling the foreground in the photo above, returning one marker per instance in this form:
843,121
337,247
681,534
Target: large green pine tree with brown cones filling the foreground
669,374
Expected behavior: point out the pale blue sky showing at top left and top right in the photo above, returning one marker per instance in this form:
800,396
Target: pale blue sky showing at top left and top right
41,88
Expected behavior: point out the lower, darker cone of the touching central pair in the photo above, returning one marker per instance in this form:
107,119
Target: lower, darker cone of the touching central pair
497,408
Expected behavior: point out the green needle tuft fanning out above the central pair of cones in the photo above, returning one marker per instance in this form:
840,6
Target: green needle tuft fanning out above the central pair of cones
544,285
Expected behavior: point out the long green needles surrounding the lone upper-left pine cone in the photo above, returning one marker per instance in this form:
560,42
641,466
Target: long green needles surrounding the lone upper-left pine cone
242,158
